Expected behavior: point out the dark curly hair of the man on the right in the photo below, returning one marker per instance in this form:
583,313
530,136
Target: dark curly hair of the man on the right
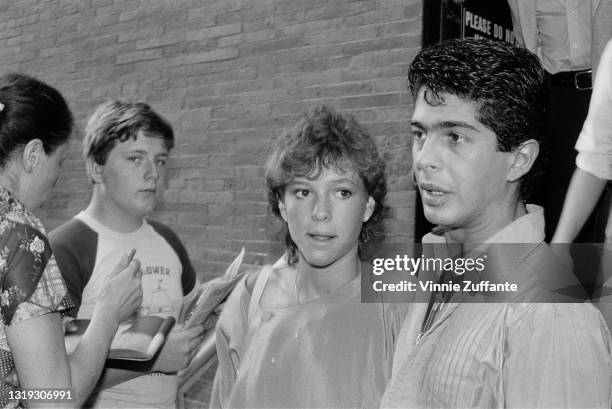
507,81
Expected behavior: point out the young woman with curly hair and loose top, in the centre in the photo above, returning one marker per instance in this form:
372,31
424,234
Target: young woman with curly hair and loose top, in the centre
295,334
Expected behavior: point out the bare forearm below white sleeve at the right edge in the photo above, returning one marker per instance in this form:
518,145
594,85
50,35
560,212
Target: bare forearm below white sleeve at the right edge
580,200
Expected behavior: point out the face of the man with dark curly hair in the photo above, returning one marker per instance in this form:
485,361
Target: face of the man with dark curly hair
461,175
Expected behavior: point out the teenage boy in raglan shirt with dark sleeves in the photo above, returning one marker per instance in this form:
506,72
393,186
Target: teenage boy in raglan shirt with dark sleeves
126,147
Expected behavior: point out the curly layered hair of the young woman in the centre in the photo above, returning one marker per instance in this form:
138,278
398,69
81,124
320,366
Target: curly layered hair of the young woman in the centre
323,138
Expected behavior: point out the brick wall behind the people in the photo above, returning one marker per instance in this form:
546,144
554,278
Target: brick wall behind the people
229,74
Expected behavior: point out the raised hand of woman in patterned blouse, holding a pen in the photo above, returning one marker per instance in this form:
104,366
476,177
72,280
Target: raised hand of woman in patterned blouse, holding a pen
122,292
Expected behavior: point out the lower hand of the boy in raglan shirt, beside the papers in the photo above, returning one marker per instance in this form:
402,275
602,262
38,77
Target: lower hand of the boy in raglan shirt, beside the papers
179,348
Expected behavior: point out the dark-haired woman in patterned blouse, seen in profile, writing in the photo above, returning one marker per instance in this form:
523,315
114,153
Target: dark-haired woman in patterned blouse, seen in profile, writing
35,128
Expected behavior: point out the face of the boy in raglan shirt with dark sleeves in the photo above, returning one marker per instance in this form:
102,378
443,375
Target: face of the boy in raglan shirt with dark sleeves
134,175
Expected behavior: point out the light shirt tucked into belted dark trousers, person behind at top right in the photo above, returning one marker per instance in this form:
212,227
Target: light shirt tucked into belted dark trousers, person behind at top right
558,31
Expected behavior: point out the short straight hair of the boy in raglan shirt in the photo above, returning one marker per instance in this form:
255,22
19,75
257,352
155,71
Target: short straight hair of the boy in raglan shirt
116,121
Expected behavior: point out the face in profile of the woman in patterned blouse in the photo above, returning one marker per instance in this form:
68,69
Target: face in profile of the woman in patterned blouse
43,177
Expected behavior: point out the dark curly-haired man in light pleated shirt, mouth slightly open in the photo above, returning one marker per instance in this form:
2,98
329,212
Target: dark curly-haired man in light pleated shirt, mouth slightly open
480,112
